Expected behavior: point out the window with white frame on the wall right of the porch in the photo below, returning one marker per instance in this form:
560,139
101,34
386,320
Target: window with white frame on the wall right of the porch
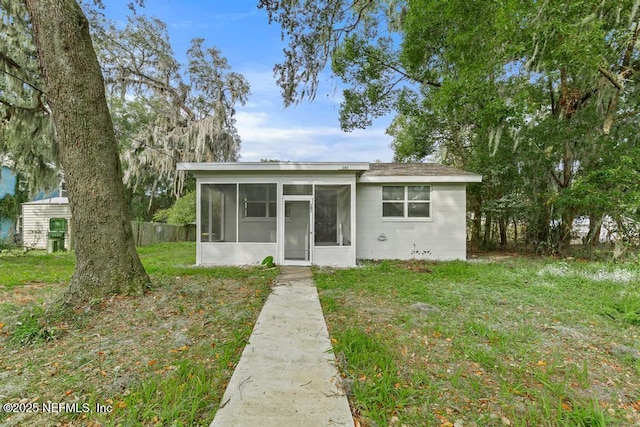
406,201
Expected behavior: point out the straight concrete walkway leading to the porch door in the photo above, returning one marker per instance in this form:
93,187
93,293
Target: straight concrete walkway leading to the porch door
287,375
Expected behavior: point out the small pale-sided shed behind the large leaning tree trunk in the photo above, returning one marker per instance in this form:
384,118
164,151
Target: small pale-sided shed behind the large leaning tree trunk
35,221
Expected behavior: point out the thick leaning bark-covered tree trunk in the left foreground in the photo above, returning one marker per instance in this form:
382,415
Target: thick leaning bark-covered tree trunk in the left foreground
106,259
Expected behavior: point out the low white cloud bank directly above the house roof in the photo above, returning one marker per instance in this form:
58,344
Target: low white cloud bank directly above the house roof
306,132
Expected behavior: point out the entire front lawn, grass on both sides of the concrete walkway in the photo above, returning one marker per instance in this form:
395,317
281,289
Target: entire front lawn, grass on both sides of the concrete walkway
519,342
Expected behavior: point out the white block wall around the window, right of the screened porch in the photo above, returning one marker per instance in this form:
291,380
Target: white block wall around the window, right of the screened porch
443,235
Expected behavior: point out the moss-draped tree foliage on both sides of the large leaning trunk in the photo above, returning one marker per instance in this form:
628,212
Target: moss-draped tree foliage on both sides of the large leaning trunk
164,112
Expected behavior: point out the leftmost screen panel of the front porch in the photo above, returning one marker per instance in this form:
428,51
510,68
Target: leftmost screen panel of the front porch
218,207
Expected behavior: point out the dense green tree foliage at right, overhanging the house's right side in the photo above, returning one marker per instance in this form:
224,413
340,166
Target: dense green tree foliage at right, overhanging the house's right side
536,96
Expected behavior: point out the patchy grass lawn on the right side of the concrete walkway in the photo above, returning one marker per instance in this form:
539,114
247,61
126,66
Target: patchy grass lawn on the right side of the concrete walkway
515,342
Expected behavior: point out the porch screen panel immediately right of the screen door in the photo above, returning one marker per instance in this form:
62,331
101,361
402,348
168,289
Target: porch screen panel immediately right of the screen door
333,215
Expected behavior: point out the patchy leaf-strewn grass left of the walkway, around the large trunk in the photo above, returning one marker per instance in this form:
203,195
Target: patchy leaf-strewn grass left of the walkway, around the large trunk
163,358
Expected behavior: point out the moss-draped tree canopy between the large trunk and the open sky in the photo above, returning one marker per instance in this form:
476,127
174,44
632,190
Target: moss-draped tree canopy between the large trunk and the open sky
180,113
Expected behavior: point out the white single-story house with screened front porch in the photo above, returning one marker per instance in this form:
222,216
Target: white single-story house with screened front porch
328,213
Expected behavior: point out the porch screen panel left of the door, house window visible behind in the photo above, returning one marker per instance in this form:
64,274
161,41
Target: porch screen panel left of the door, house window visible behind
257,215
